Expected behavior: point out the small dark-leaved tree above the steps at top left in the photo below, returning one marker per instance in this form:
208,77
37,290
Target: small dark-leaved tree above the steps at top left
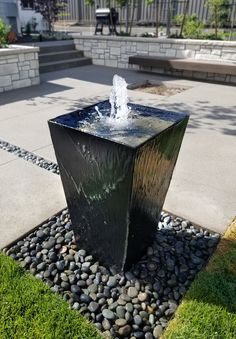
50,10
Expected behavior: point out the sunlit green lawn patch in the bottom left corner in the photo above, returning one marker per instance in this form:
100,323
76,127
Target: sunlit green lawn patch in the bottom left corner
29,309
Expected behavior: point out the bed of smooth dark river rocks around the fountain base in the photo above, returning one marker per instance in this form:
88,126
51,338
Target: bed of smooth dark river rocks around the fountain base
136,304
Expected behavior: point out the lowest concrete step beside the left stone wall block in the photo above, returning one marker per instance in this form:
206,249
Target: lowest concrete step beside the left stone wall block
57,65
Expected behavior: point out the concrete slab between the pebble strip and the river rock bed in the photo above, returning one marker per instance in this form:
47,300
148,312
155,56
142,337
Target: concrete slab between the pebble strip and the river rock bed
29,195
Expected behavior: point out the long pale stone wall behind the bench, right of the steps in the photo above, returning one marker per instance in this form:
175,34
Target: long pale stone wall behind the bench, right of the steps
115,51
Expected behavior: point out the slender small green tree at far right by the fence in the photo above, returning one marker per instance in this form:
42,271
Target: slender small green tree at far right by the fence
219,13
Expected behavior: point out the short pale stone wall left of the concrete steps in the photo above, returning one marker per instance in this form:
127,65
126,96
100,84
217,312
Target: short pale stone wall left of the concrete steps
19,67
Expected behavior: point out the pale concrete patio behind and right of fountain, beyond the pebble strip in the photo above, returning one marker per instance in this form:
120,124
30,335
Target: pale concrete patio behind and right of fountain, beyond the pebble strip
203,186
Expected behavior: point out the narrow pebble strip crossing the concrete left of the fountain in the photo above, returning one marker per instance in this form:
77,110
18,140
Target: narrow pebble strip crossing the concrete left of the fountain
28,156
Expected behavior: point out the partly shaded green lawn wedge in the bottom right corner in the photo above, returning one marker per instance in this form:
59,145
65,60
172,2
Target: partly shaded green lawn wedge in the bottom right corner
208,311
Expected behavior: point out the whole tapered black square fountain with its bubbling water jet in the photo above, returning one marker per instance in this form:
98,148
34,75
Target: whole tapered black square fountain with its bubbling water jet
116,161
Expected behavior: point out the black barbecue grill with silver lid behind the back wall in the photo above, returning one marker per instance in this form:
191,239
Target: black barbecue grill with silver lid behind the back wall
106,16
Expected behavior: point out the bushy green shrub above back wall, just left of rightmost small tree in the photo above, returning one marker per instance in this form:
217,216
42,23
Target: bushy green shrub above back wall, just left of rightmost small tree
192,27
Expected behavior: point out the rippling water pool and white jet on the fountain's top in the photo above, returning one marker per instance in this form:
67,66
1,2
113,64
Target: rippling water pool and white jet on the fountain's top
119,121
